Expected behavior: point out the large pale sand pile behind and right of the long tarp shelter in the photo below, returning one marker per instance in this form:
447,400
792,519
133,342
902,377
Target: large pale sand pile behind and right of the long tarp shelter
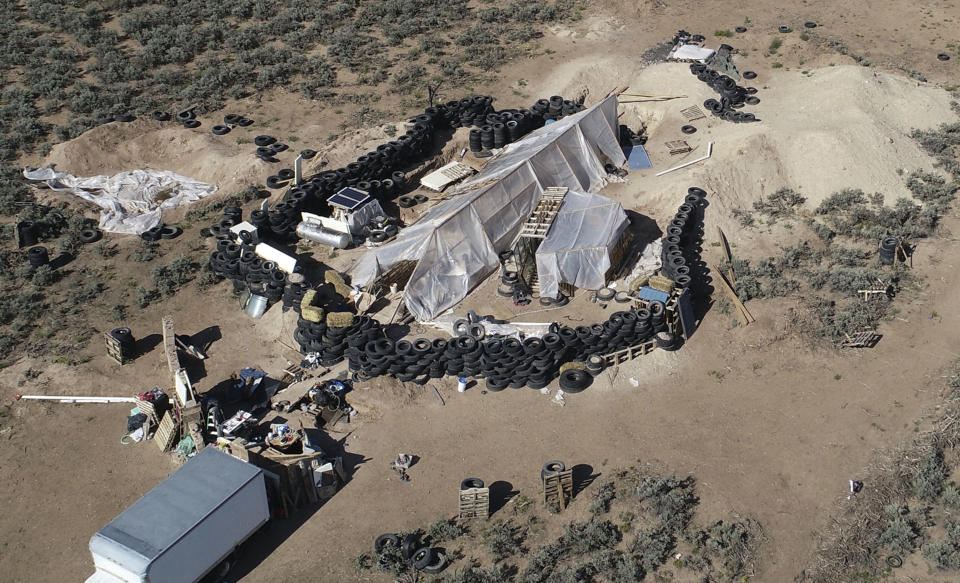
839,127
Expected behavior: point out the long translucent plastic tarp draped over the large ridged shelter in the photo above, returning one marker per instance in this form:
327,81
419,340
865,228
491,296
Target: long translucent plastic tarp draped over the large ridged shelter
456,242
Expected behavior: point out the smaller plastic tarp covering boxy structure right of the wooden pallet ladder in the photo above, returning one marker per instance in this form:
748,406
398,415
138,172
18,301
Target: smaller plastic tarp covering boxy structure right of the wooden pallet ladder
577,247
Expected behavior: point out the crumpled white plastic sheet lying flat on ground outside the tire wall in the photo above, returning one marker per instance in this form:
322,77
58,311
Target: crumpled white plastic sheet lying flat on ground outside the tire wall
128,199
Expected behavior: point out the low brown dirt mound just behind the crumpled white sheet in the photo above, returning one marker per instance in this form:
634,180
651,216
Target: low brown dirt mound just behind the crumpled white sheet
197,154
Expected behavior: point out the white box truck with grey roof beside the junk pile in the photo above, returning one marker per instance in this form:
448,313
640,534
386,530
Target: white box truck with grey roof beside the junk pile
184,527
